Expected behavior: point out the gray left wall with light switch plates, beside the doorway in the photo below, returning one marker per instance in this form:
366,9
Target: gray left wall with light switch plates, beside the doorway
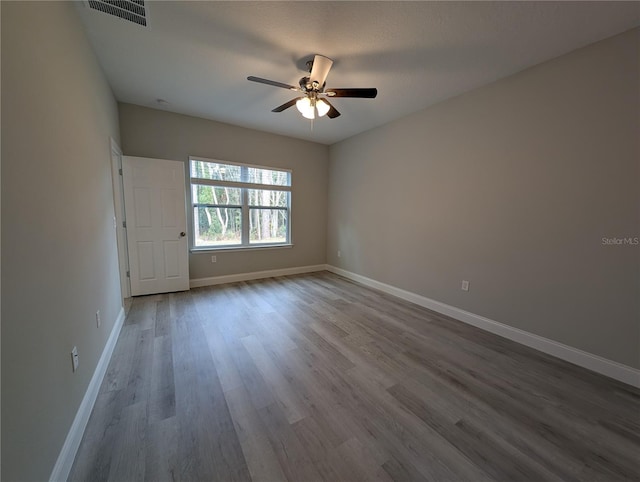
59,259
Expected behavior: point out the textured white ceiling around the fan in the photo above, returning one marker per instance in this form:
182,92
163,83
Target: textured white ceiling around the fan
197,55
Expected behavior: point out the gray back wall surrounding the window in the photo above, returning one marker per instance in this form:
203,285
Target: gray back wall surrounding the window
164,135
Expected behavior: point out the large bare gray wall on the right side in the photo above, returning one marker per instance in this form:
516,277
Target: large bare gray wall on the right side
512,187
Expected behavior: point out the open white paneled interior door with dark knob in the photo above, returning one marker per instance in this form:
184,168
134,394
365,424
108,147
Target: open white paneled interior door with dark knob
154,194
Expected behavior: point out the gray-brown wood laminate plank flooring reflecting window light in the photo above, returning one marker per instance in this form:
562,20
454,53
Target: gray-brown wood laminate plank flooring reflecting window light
314,377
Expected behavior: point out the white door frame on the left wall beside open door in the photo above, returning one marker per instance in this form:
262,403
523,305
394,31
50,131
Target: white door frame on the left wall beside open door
120,218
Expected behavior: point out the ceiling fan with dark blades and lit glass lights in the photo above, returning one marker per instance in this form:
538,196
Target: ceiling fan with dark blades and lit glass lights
315,96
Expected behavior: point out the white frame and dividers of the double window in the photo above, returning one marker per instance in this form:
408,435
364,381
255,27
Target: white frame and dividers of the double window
244,185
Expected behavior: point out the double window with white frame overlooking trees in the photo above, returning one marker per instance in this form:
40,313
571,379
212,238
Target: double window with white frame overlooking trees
238,205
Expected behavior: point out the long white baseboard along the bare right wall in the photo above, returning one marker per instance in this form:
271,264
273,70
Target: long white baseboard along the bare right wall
598,364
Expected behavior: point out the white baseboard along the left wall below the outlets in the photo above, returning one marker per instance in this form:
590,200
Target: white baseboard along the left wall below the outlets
67,455
